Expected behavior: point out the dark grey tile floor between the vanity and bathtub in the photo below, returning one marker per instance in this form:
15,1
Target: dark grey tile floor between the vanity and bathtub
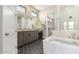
35,47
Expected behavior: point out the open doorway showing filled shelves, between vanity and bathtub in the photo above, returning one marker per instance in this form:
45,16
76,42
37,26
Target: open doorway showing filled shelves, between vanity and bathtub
50,25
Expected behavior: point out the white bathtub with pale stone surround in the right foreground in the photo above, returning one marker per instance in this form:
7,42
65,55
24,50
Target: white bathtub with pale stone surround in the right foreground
58,45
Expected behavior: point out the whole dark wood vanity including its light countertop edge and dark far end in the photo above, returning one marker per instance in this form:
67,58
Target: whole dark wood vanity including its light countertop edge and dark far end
27,36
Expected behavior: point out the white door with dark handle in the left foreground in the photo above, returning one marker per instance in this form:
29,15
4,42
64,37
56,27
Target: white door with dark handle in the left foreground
9,30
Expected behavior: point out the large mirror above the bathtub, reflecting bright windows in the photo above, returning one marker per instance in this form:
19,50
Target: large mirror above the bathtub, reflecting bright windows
66,17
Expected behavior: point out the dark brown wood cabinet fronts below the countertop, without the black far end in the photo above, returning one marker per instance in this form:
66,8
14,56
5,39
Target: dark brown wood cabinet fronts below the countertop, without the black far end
25,37
